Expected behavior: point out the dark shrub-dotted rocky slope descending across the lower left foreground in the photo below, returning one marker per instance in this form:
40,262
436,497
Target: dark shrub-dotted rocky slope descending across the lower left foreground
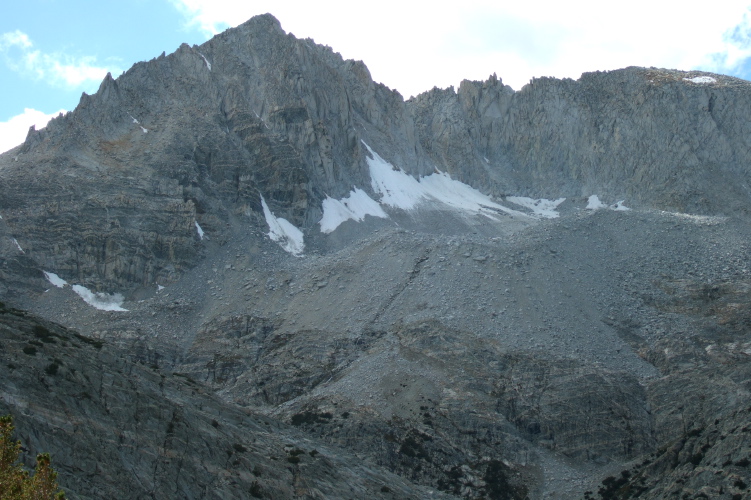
116,429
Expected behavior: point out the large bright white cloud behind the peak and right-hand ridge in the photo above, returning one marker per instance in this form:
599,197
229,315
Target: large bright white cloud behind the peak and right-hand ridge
412,48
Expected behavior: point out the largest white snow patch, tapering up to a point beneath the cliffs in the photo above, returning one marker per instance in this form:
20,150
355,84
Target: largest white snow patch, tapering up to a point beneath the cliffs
398,189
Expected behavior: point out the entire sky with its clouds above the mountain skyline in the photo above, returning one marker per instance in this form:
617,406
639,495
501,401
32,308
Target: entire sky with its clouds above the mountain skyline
53,50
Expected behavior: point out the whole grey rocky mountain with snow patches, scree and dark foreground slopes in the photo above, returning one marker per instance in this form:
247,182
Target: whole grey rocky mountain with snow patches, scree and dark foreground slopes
246,270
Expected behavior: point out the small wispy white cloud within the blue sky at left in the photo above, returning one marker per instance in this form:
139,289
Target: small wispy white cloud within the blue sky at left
55,68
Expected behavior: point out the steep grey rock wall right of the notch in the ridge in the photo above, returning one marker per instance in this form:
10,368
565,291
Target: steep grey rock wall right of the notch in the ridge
654,137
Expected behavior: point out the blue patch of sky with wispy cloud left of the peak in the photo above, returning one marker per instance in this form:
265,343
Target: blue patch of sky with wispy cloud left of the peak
87,37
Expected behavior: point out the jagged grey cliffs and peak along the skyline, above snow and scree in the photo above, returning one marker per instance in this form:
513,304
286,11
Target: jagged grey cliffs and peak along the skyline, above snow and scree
203,133
